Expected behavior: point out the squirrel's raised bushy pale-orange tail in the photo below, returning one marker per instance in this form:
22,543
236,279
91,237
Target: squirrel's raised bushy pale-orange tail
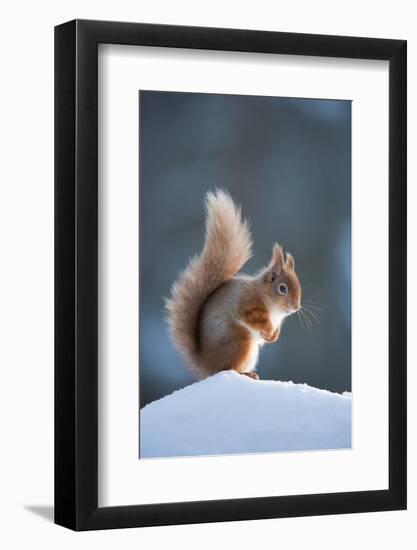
227,247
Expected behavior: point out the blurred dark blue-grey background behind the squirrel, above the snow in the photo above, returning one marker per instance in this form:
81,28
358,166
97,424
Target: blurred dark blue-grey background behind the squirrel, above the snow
288,163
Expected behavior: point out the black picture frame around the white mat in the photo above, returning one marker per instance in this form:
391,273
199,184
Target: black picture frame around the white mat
76,272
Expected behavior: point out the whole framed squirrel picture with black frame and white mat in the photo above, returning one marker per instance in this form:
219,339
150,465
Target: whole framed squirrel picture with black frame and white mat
230,284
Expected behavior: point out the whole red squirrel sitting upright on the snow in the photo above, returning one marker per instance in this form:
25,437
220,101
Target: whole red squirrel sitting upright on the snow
218,319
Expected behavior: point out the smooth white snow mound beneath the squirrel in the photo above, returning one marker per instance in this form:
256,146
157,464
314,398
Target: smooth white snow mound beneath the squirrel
229,413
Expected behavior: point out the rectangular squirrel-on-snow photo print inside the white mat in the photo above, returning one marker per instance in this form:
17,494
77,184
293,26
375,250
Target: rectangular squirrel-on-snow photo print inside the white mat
244,274
